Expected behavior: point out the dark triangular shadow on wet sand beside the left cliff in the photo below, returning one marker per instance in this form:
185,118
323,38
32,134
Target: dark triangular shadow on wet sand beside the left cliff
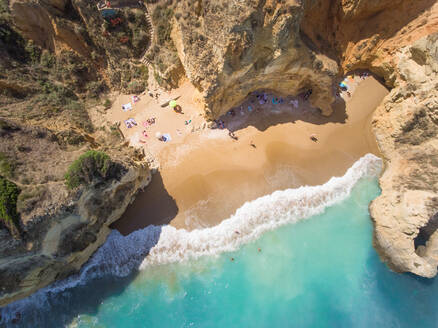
152,206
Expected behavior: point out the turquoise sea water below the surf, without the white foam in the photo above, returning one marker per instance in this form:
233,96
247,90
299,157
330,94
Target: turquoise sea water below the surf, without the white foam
320,272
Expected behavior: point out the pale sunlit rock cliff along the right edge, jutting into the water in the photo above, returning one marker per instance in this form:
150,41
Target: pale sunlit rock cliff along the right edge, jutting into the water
406,128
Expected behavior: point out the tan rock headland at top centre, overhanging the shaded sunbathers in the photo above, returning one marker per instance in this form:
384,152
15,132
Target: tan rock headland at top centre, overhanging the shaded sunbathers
231,48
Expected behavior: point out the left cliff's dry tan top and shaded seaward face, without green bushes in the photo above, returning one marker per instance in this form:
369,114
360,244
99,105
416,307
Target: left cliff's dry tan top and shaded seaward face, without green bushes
59,228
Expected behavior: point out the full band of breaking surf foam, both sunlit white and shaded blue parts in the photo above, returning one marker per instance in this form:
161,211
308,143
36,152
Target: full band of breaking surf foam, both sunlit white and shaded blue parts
153,245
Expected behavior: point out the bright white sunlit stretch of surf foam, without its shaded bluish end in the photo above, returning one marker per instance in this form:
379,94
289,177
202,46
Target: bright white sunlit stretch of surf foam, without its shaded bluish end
258,216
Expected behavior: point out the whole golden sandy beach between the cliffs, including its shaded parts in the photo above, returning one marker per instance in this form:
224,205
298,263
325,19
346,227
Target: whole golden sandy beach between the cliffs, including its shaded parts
204,175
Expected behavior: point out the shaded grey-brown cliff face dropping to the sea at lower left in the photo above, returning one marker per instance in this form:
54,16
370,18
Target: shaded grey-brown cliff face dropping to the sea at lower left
66,241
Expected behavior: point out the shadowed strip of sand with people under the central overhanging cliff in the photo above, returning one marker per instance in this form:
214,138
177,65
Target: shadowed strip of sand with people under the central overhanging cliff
291,109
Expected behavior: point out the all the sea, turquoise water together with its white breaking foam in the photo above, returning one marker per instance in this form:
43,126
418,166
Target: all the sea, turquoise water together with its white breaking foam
296,258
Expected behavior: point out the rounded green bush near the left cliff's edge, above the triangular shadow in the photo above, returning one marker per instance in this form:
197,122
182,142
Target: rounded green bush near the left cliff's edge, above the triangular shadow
93,164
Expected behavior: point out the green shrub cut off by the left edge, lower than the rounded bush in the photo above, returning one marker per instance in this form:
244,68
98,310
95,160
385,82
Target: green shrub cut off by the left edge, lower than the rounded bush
8,206
